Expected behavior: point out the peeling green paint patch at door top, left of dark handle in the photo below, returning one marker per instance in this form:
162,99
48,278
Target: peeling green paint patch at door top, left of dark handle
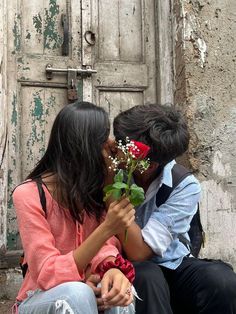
52,39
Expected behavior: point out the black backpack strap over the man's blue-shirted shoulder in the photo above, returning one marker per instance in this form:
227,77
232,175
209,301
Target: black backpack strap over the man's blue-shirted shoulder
179,173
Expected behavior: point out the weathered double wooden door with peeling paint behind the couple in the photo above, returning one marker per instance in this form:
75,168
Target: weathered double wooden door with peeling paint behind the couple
115,37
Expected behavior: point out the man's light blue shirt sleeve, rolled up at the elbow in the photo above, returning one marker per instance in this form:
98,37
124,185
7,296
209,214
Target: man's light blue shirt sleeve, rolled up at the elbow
173,217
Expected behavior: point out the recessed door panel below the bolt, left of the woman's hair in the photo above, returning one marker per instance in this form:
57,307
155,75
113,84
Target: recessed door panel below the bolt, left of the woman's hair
36,120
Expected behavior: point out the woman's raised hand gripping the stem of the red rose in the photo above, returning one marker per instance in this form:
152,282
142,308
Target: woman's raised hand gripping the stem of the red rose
120,216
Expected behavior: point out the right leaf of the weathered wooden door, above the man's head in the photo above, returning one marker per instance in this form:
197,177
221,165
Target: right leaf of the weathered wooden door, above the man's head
124,52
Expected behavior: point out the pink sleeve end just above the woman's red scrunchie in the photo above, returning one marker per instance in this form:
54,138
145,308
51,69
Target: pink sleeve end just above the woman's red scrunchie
111,248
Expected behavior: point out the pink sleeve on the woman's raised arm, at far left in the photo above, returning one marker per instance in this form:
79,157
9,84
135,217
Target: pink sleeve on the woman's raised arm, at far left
47,266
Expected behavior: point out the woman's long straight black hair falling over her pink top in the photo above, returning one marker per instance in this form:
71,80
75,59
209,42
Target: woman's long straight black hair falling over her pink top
74,156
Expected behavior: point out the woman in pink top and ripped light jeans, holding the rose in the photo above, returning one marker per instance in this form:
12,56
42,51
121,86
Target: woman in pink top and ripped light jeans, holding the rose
73,239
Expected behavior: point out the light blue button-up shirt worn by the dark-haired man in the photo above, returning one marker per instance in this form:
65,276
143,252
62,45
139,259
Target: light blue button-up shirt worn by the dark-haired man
162,225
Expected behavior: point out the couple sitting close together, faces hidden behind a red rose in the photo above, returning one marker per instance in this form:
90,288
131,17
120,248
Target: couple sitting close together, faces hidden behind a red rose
72,246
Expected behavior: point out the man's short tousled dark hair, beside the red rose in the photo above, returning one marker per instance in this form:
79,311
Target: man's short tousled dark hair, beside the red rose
161,127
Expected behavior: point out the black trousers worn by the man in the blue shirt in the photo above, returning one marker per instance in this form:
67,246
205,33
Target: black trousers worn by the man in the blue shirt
197,286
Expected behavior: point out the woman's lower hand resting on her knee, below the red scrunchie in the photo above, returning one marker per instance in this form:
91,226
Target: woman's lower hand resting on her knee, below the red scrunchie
115,289
